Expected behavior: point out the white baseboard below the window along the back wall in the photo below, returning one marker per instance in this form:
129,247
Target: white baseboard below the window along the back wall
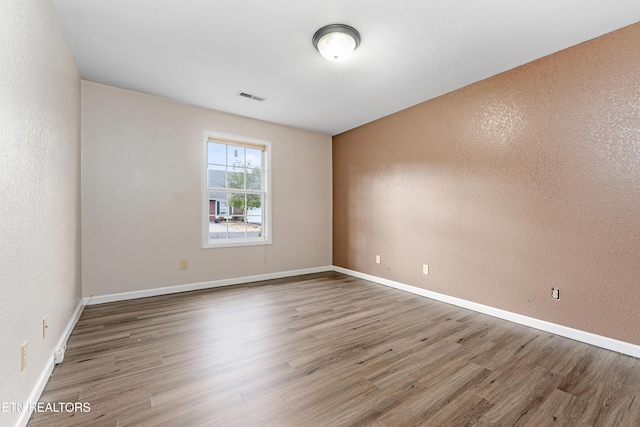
101,299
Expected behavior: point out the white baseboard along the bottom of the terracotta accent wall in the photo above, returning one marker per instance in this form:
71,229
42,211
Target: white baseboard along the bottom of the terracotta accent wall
575,334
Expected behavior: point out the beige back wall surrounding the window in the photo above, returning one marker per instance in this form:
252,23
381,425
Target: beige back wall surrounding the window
141,188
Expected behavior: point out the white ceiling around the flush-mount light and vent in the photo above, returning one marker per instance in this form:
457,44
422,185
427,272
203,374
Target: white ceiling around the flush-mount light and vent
203,52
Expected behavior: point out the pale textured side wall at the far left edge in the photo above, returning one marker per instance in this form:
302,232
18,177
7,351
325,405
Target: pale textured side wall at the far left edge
39,191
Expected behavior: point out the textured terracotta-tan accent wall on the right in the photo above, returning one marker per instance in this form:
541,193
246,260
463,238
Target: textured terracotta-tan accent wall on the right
508,187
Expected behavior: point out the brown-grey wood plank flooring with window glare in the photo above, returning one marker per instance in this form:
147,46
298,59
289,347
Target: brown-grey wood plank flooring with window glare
329,350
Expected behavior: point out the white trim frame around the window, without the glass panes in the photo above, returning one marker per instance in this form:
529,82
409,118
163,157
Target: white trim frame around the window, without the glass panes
210,136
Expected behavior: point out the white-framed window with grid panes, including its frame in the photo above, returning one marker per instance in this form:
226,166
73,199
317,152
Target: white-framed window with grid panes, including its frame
237,191
